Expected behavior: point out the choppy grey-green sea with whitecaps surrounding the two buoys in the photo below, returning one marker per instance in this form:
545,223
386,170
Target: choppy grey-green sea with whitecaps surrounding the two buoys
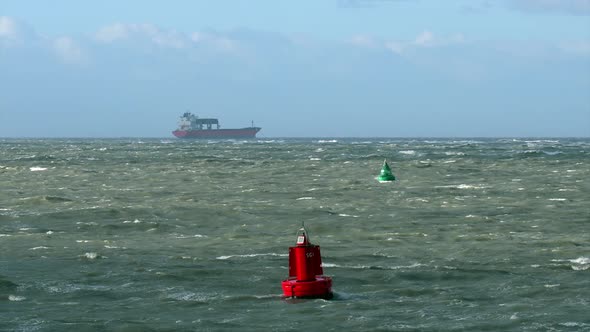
134,234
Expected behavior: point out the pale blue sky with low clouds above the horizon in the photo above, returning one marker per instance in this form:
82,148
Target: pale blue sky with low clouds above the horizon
306,68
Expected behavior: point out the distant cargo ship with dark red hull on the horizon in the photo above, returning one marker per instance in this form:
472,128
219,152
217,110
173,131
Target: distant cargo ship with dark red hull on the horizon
191,126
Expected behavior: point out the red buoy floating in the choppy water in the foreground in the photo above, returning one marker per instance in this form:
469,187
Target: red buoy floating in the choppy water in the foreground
306,279
